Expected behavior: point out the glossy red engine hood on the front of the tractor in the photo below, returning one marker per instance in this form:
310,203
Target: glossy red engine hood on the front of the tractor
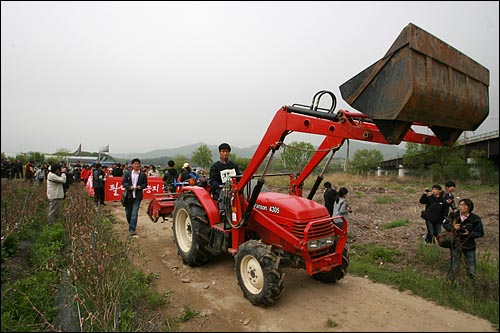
289,206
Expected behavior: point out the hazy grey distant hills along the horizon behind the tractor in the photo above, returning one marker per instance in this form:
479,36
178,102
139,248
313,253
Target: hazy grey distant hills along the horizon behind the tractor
388,151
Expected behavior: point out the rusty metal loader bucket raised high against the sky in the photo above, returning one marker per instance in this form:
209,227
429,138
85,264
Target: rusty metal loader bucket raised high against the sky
422,80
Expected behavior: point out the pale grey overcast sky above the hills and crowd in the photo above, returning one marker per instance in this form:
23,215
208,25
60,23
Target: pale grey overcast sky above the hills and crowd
142,76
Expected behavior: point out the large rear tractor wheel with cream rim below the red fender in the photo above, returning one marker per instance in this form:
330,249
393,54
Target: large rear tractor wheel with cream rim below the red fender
191,230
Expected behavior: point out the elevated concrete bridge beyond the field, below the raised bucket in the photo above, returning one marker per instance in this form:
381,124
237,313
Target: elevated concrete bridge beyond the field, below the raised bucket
487,142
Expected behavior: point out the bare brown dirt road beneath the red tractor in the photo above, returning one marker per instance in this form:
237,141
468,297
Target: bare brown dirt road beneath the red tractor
353,304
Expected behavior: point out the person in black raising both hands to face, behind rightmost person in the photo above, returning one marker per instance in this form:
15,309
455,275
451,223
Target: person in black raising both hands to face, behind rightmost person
435,211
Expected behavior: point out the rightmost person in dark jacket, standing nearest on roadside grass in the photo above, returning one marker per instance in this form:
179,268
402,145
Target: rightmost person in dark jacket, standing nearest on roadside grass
468,226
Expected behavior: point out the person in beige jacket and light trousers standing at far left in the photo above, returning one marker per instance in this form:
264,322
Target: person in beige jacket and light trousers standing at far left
55,191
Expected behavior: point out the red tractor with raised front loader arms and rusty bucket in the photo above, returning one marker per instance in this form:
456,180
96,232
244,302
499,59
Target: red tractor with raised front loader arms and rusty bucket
421,81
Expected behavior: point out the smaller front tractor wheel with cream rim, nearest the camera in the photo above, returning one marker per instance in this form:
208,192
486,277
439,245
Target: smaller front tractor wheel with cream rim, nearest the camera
259,275
